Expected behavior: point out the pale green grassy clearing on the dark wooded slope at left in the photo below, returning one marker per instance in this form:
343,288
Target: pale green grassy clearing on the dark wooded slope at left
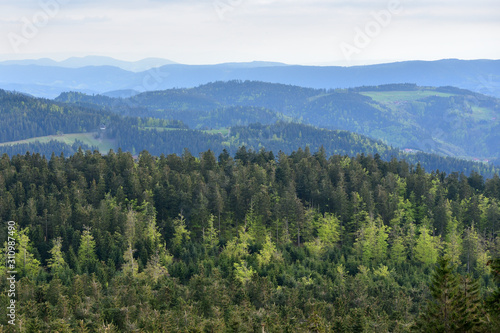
87,138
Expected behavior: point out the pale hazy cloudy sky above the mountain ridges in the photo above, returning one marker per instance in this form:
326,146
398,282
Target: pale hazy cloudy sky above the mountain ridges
214,31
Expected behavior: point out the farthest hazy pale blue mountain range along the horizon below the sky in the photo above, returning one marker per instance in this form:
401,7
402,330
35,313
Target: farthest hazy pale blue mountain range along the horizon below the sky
481,76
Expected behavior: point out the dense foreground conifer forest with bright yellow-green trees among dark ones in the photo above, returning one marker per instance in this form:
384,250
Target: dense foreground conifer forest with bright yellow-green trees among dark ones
251,242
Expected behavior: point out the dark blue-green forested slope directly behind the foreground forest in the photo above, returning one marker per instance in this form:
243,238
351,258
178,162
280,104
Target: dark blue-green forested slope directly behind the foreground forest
28,117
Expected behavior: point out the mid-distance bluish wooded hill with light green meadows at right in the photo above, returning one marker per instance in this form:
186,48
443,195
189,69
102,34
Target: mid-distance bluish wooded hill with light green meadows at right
446,120
